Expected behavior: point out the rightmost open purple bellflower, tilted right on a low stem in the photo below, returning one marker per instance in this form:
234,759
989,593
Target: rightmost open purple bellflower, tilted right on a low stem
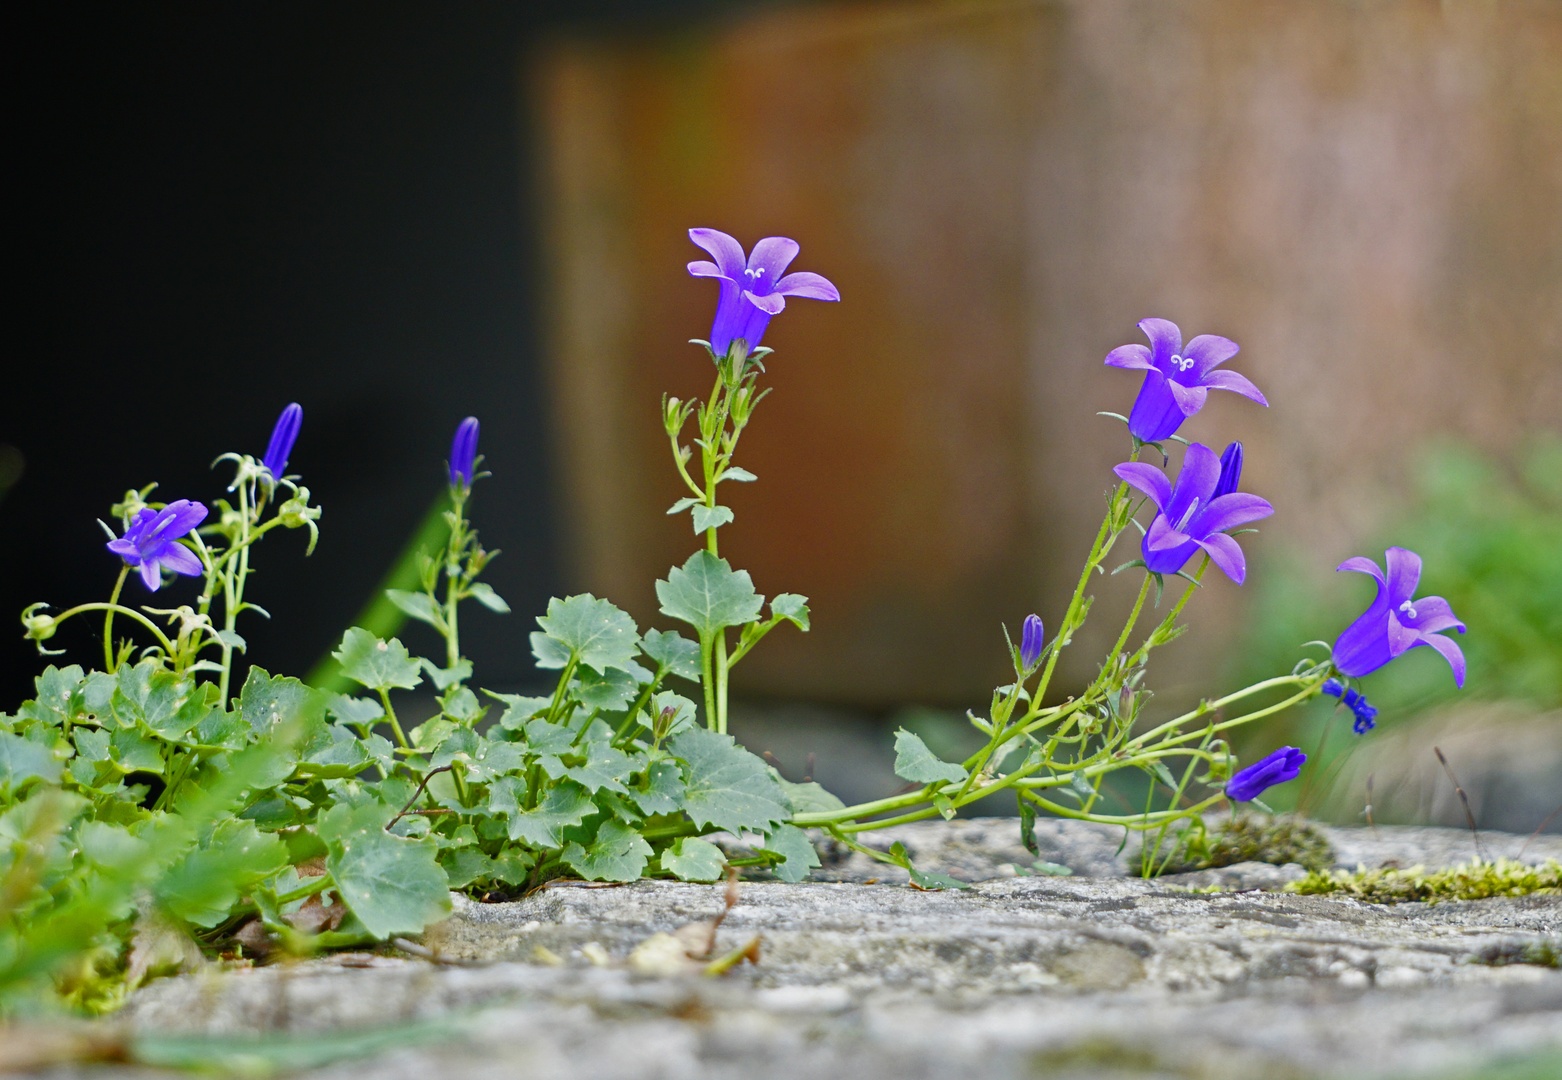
1396,623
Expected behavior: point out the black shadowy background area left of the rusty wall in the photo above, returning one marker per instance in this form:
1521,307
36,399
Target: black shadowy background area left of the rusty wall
224,209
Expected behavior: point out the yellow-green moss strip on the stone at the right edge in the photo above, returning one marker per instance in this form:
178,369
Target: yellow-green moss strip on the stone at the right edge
1475,881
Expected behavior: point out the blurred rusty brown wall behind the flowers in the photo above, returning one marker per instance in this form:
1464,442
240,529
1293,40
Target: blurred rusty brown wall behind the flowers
1366,196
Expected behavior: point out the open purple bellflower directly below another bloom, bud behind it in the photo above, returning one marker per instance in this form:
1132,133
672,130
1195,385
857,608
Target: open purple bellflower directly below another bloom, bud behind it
1197,512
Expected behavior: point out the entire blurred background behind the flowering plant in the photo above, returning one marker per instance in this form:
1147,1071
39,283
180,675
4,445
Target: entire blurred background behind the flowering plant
399,215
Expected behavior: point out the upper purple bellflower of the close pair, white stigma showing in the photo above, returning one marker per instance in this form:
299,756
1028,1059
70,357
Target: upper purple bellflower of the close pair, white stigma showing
1177,379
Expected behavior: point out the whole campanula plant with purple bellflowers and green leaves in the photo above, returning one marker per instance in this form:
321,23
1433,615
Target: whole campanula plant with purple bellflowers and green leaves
154,798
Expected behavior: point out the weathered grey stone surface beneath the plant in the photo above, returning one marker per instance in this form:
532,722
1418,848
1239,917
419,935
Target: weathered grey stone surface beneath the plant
1018,976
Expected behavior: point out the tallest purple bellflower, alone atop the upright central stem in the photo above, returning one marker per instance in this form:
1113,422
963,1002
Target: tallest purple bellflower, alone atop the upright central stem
754,288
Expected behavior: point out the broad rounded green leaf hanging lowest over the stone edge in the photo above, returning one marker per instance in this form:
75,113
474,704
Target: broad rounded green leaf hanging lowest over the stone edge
393,885
